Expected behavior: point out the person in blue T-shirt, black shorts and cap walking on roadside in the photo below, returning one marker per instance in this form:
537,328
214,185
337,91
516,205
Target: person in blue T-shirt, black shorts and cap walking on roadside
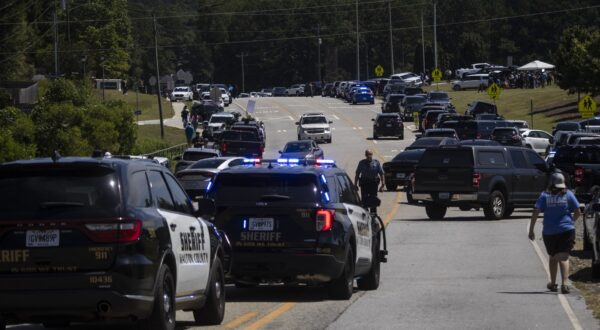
561,210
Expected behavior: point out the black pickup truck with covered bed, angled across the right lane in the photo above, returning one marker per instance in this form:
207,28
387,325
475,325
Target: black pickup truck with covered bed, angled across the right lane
495,178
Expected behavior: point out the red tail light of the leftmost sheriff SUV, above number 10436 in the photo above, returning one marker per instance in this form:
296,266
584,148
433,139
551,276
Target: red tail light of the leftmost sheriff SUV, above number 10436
115,232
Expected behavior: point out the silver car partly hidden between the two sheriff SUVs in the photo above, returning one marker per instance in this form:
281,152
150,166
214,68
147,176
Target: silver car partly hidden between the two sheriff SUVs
196,177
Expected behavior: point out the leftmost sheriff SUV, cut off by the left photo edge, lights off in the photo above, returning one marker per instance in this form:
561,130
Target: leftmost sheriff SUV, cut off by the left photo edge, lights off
85,239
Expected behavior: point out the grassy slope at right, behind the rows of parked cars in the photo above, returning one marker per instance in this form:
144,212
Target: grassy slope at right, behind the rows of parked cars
513,103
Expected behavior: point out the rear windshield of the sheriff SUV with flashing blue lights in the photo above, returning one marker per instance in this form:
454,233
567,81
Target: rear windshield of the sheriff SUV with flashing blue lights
256,187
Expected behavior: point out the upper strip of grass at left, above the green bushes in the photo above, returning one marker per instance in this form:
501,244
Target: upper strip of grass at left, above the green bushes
148,103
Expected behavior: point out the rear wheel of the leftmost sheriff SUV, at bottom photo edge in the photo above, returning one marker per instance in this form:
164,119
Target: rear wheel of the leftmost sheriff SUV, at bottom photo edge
161,318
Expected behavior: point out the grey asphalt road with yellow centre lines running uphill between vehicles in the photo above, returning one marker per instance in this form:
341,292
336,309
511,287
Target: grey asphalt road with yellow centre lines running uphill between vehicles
460,273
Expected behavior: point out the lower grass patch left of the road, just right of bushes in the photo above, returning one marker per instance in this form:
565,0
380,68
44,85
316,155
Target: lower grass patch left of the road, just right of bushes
148,138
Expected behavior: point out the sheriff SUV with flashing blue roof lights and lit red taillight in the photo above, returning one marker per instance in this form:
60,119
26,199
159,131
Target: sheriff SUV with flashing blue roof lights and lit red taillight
294,222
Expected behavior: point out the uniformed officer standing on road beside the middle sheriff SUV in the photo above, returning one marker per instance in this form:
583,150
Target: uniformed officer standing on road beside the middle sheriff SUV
369,175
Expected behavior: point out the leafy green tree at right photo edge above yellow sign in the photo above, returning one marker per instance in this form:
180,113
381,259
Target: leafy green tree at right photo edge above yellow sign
578,60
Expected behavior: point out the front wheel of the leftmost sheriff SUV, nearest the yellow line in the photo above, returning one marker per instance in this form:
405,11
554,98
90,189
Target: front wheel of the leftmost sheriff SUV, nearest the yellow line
213,311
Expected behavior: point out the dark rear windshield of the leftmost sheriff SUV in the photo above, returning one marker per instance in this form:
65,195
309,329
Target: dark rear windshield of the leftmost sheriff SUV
59,193
